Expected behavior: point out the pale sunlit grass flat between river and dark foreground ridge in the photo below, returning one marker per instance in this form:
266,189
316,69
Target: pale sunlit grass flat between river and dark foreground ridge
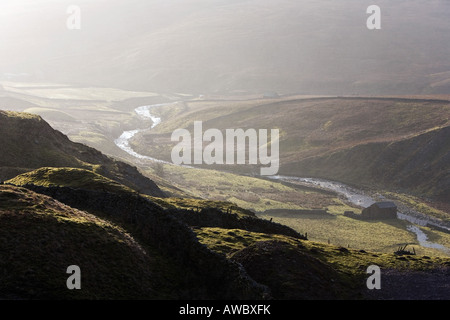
250,193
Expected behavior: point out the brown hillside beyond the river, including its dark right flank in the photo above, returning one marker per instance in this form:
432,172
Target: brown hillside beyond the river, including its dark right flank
385,143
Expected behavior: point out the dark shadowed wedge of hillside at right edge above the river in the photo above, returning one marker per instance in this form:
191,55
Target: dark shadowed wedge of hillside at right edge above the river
419,165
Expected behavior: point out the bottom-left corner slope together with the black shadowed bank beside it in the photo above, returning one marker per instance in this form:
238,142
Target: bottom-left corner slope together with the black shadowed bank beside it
169,258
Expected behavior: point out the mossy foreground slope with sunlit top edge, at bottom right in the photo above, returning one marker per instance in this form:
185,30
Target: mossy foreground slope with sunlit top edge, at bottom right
298,269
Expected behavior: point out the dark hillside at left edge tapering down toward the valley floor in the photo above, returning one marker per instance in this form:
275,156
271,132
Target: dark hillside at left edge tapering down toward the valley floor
28,142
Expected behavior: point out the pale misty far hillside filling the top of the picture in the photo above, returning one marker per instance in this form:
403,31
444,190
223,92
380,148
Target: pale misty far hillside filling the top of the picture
204,46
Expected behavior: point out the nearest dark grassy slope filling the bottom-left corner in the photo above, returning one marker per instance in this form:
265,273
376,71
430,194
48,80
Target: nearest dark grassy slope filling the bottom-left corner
42,237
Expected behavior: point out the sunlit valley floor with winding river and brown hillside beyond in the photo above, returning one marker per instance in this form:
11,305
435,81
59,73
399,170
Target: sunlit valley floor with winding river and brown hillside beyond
151,118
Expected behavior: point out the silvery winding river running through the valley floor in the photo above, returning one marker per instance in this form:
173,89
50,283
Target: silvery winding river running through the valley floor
355,196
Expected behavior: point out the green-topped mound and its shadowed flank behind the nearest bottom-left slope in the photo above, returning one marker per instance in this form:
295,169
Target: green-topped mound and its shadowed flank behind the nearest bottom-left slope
183,261
